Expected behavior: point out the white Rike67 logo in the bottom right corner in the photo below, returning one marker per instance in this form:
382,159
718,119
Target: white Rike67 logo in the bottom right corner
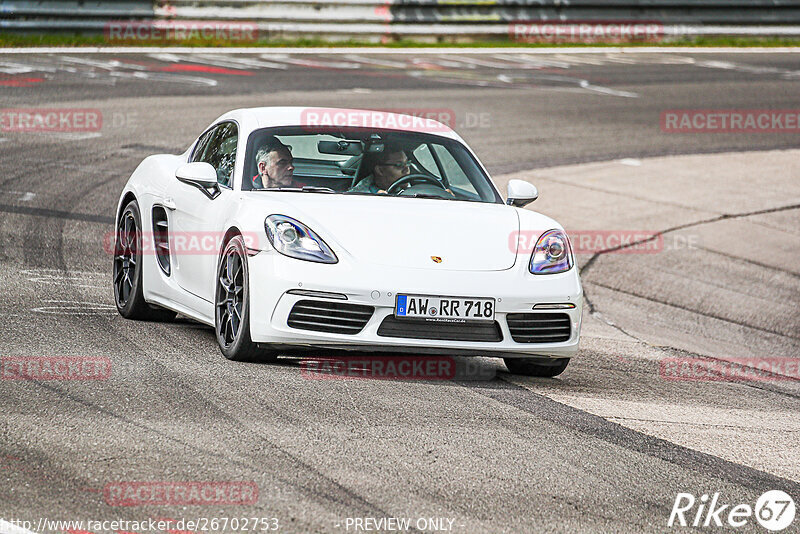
774,510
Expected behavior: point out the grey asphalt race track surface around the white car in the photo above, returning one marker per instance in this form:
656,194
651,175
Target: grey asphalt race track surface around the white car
605,447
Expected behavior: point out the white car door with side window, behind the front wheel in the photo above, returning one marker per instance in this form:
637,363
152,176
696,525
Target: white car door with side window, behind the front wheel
197,214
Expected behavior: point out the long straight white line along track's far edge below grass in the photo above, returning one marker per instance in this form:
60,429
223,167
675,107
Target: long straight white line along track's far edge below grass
406,51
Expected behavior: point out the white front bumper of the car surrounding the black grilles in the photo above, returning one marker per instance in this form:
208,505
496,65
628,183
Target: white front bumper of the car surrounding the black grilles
515,291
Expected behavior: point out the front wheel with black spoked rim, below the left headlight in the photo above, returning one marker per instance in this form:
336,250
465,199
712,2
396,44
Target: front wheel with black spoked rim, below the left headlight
232,306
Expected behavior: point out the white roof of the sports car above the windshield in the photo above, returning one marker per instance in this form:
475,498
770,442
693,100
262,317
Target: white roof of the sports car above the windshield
266,117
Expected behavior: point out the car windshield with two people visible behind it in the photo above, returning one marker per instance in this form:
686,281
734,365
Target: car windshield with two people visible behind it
361,161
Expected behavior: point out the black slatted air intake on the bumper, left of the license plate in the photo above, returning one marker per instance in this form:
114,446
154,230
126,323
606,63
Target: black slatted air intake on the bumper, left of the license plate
333,317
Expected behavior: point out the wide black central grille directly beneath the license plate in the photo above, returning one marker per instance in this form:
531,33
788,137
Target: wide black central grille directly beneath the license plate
409,328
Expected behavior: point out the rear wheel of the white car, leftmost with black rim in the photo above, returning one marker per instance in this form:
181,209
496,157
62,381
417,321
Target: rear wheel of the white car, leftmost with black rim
127,270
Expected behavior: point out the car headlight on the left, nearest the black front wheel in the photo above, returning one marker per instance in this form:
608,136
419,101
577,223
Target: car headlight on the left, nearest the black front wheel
296,240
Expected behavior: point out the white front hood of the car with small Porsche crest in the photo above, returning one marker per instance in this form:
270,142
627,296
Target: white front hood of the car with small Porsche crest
466,236
